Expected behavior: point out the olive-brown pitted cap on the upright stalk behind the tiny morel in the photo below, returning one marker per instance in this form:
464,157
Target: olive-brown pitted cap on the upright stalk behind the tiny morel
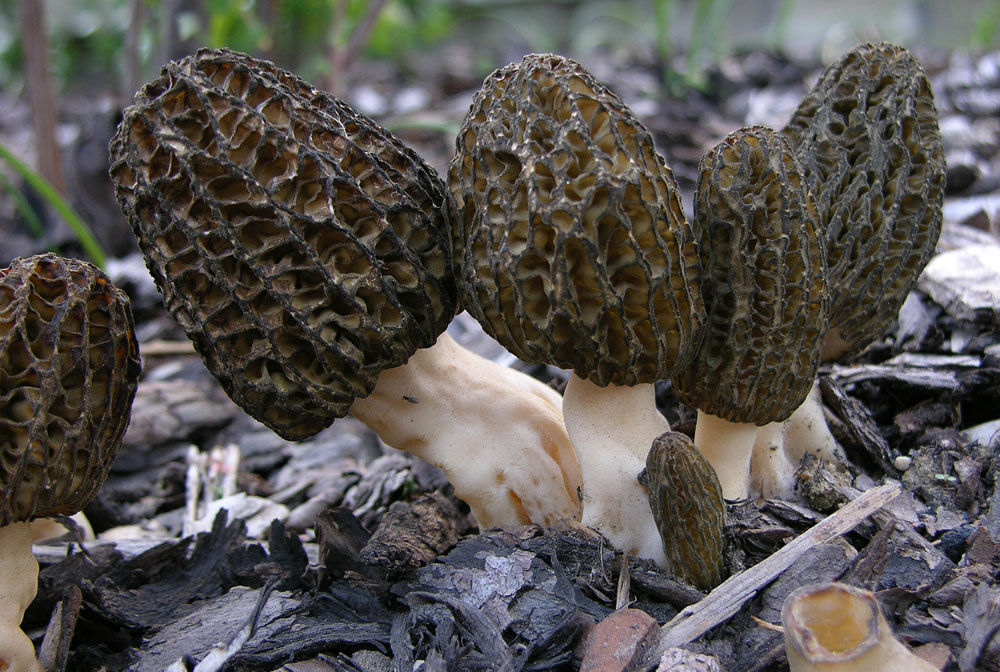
571,243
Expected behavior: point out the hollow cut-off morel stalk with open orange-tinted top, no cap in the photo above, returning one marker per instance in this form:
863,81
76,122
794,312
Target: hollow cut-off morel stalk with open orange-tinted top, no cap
835,627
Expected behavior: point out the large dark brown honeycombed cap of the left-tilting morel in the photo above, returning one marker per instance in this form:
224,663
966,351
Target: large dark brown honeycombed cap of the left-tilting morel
299,244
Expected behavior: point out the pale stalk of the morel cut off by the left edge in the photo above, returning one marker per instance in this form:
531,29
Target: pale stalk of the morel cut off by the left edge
18,583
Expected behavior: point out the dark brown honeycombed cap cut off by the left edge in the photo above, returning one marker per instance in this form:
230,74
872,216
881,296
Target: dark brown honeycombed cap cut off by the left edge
69,366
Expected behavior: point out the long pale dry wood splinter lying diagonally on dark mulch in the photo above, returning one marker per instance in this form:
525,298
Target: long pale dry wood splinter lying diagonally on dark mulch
723,602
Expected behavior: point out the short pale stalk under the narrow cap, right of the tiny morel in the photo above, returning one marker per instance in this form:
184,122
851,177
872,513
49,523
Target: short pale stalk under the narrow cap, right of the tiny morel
728,447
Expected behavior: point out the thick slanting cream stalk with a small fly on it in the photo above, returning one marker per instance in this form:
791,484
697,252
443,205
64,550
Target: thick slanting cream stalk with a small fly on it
497,433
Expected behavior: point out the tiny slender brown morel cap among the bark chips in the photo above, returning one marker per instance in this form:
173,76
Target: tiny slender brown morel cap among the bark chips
685,497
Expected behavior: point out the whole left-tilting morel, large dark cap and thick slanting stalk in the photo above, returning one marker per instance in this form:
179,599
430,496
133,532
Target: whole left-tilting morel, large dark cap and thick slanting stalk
306,252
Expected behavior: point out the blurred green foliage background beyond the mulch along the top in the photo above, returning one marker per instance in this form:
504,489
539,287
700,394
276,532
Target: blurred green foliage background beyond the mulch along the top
122,43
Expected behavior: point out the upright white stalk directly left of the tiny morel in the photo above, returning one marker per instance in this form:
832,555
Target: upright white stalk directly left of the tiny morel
612,429
